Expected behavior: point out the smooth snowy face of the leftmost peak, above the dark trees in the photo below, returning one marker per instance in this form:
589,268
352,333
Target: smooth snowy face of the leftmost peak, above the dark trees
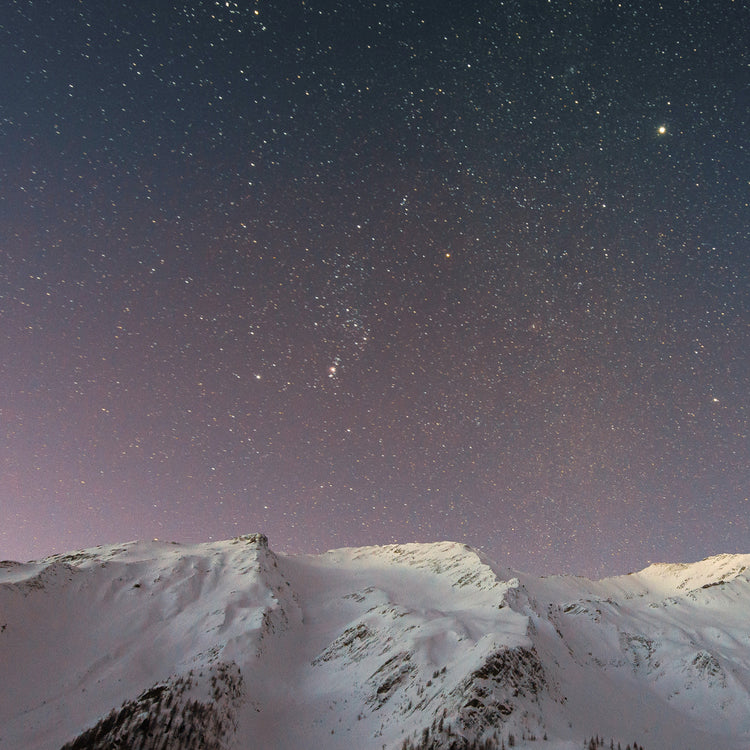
83,633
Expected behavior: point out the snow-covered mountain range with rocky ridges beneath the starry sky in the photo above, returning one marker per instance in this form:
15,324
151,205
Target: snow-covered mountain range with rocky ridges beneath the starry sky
228,645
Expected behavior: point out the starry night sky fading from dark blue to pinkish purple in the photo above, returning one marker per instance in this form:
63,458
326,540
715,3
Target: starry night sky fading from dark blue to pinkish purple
354,272
